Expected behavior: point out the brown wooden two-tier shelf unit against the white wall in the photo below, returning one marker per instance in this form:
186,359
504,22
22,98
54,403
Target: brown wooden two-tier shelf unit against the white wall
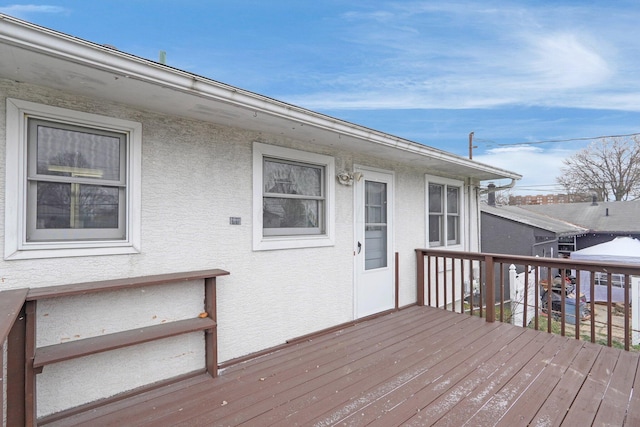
26,360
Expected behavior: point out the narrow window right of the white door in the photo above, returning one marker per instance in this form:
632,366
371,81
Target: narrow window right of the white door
444,202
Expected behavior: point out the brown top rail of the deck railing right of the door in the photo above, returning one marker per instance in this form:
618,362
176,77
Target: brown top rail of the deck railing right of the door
561,263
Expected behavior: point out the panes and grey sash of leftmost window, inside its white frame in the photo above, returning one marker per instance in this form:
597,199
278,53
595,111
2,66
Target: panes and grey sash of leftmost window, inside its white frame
76,183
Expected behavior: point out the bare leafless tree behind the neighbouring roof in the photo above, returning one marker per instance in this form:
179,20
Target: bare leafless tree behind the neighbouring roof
608,168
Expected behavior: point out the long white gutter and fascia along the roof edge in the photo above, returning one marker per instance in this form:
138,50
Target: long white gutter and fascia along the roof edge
39,39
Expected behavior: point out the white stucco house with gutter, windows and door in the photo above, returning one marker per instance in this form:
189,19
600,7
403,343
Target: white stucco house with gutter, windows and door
117,166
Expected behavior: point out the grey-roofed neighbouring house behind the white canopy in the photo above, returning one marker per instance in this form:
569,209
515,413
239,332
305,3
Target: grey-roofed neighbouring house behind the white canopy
601,221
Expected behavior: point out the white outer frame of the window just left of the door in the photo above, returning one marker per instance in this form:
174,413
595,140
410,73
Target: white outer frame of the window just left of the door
269,242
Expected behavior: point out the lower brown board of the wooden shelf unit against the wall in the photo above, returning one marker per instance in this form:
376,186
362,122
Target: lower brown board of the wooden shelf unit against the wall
85,347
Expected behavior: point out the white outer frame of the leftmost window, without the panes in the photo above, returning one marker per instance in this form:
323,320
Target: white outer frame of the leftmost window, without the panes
16,245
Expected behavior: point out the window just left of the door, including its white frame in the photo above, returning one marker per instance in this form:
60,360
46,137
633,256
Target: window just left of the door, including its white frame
293,192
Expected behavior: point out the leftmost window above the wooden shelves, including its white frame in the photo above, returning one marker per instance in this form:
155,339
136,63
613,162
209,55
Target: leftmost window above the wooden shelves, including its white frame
77,179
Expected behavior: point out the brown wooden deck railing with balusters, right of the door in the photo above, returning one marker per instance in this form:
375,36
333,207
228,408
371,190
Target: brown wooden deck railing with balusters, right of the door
459,281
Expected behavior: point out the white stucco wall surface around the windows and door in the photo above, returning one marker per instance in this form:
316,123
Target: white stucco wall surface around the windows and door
195,176
